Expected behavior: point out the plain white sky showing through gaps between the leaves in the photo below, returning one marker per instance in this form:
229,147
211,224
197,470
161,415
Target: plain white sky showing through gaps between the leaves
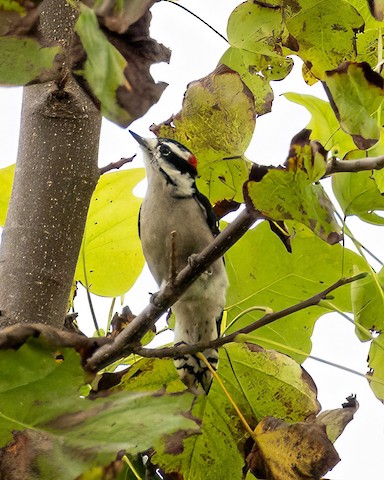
196,51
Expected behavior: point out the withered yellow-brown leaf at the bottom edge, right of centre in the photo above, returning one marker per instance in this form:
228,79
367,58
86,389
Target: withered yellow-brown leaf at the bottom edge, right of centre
299,451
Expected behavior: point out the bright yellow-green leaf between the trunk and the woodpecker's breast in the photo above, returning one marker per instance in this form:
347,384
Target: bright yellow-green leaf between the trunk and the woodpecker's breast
111,259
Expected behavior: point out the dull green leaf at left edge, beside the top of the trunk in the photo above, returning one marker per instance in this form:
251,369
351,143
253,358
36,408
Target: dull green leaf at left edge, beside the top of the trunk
24,60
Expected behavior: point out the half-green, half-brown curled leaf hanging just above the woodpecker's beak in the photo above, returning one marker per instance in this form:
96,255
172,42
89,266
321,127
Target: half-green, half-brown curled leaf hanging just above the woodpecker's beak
114,68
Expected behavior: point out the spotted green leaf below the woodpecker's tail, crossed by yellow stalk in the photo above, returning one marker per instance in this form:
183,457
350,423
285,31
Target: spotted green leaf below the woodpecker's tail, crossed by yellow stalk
252,379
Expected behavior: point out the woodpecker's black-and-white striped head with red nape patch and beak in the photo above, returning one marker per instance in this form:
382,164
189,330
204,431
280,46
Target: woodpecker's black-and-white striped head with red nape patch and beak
173,161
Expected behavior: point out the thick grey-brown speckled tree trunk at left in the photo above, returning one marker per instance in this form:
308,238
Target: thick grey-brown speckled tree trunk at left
56,173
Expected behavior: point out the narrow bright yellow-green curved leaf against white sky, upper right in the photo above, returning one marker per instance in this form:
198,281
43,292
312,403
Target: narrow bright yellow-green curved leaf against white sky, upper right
324,124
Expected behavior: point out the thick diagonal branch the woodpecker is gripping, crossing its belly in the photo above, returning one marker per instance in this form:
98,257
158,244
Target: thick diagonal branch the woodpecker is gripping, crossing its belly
129,338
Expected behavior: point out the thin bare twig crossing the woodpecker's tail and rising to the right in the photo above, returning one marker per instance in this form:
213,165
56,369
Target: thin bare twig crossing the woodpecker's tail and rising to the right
265,320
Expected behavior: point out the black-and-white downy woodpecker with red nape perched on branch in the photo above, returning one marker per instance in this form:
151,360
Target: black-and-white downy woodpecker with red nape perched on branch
173,203
